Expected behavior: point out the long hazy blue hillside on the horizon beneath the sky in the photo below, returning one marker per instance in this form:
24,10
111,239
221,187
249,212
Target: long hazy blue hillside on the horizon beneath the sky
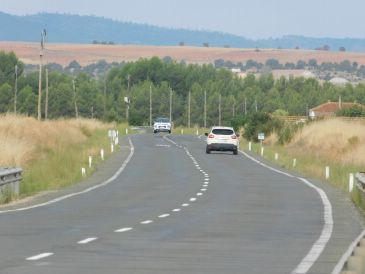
65,28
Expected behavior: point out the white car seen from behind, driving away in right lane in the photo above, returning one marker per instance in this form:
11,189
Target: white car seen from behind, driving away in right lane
222,139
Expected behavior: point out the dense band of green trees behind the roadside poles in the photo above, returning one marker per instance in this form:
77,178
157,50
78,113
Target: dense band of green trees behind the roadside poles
227,96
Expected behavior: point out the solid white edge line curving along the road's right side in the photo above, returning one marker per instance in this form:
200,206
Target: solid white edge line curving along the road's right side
318,246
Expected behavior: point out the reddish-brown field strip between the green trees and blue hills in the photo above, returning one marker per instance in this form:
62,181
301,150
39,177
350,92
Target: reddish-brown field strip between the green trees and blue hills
86,53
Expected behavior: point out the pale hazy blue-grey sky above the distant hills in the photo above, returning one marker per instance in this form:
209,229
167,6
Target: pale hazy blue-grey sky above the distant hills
249,18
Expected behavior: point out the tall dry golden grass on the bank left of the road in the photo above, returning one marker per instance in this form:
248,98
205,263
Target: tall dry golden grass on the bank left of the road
25,139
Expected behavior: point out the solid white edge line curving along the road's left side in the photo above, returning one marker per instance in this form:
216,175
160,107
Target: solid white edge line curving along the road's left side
111,179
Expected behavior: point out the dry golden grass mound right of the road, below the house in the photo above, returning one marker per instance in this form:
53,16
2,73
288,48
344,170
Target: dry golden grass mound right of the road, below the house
335,140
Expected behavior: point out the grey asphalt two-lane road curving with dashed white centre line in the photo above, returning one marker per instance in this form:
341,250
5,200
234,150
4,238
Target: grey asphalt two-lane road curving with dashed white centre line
171,208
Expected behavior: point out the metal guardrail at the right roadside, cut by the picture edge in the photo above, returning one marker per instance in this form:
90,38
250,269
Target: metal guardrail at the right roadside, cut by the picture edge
354,258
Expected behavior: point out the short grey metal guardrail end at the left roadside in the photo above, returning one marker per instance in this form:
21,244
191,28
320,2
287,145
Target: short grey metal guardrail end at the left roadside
9,180
